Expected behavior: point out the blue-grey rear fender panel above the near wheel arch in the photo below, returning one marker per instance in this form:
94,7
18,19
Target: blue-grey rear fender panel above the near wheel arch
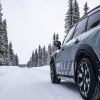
92,38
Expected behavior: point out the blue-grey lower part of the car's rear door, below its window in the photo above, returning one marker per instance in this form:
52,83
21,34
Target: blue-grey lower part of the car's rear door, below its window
68,57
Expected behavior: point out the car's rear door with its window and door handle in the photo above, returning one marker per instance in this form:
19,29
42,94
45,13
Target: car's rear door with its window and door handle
70,47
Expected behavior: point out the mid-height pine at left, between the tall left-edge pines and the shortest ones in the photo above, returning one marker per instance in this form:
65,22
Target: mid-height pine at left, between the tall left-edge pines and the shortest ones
11,55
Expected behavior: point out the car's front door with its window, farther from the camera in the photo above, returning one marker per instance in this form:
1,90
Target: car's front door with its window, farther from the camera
65,49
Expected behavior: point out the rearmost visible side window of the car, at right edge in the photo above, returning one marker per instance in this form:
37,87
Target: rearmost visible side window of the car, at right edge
94,20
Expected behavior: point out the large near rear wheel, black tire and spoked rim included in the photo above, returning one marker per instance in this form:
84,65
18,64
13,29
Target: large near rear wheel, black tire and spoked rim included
86,79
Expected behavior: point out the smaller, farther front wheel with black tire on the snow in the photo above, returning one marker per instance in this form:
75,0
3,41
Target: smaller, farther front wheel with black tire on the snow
54,77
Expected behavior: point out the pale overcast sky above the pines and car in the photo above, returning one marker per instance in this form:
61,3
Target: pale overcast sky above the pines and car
33,22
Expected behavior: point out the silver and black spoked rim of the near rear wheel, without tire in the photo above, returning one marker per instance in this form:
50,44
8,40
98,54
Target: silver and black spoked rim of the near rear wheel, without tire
84,78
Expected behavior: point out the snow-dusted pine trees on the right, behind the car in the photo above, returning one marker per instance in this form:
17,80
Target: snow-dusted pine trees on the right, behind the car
41,56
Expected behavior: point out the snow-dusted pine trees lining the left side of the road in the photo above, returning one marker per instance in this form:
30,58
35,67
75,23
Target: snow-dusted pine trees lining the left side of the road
7,56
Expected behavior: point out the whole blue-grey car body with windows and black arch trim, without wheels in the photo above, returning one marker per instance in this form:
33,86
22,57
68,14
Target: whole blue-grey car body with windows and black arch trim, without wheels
84,43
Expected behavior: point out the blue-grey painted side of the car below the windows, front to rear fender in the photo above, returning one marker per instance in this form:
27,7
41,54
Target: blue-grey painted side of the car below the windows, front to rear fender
64,59
